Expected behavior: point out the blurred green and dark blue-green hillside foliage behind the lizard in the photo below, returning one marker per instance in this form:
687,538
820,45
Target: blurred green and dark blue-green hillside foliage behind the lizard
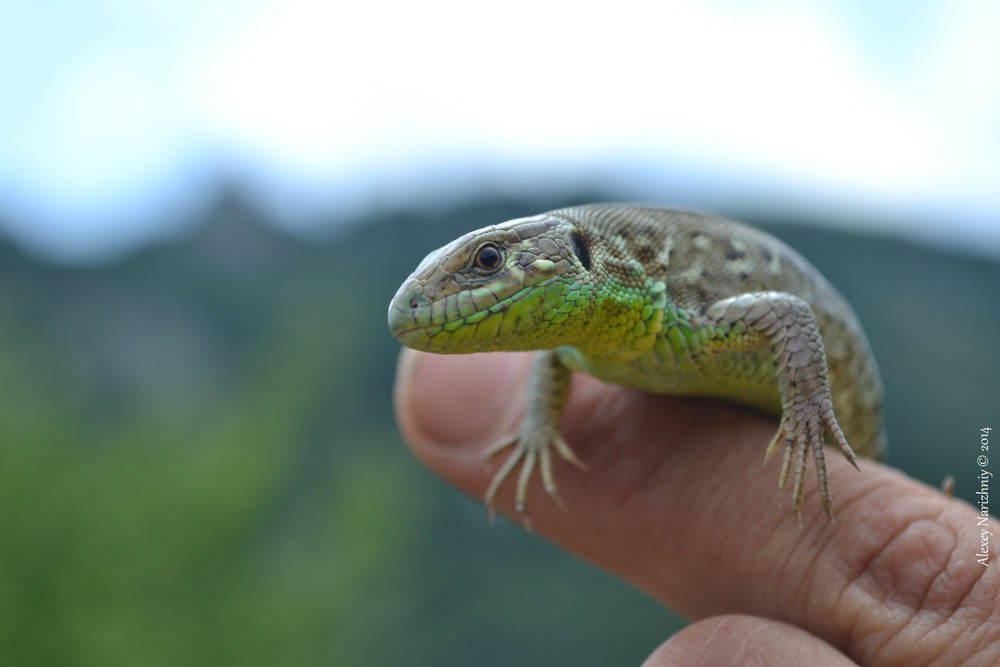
199,464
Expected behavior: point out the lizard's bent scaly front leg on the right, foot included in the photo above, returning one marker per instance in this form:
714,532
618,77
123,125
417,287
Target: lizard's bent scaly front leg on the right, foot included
789,326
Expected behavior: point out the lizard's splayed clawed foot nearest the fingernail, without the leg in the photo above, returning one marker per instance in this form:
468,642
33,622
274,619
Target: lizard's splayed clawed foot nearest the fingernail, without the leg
531,447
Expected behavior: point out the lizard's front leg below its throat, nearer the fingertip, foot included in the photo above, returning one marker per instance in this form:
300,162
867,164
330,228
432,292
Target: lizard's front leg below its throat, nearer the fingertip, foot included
548,388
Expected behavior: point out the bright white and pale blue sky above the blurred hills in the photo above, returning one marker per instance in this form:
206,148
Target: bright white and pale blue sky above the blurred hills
117,117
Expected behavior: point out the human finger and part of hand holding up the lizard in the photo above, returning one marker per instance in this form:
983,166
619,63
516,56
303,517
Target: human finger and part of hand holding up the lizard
676,502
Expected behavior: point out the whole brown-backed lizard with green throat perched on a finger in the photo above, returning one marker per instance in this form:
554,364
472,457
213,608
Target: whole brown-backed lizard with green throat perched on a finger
663,301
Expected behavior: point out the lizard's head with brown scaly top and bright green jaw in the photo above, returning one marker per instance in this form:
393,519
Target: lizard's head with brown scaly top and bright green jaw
508,287
